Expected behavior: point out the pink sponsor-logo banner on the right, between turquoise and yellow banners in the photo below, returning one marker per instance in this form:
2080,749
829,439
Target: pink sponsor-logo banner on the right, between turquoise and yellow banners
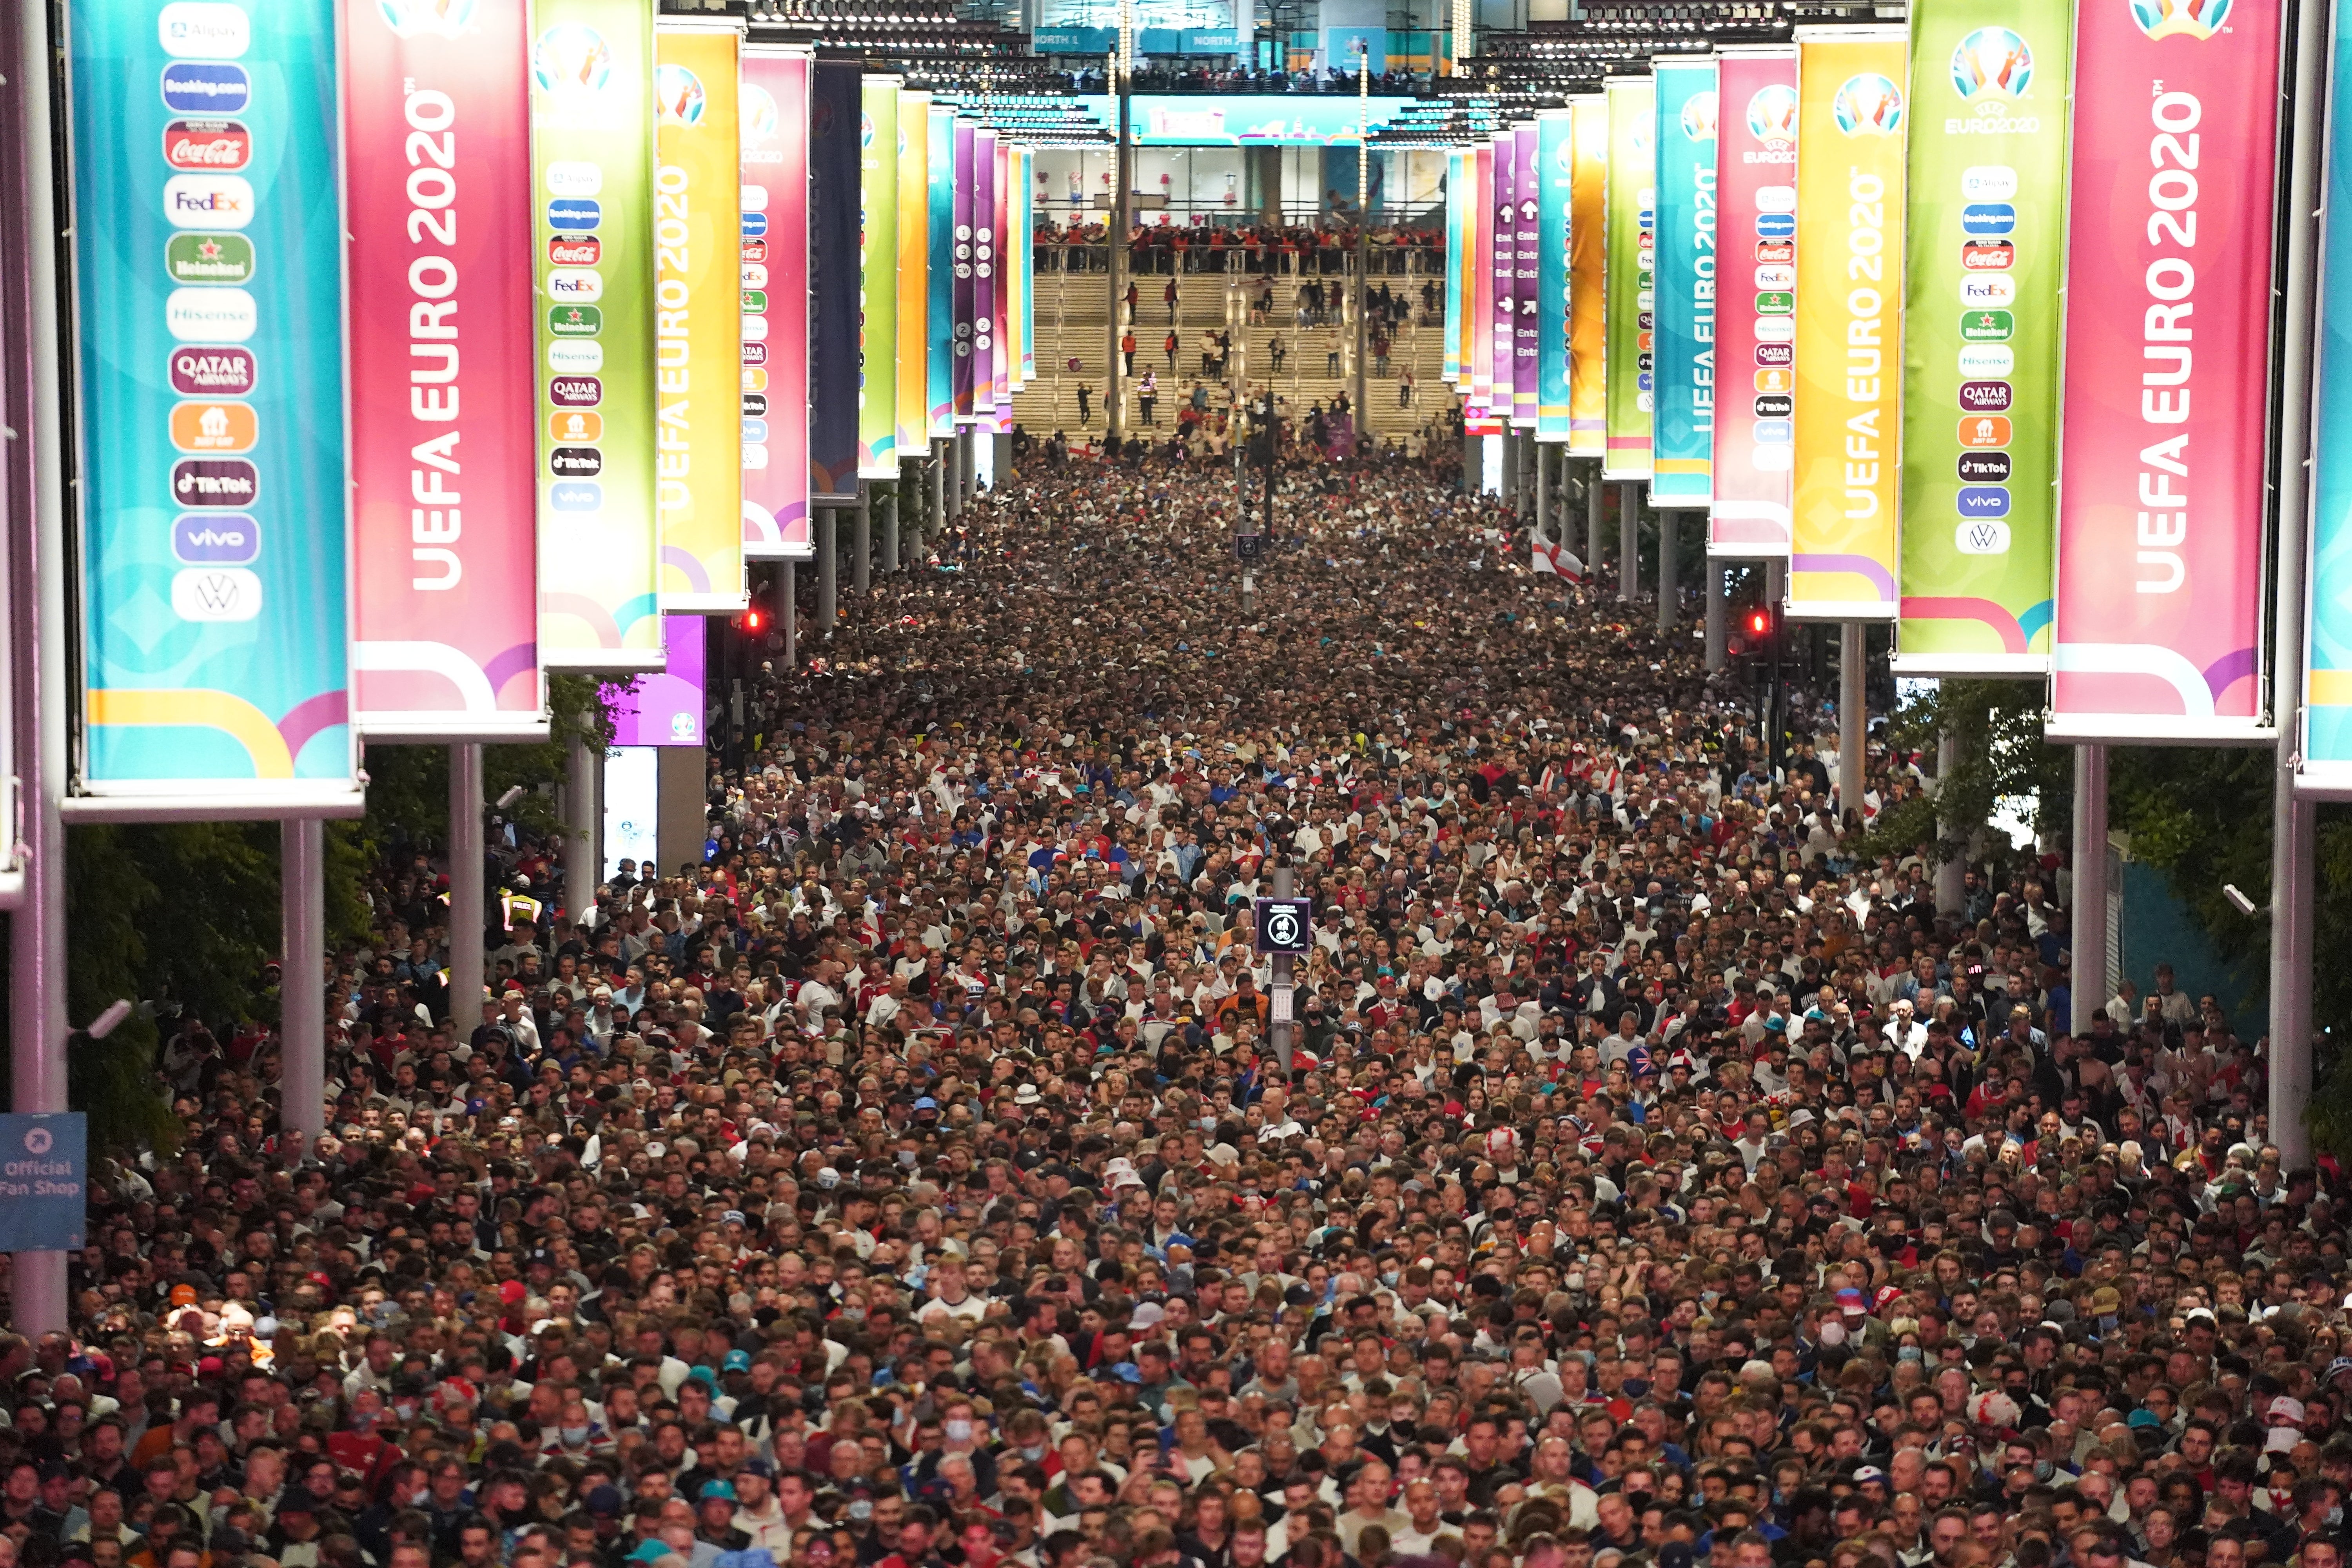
1756,300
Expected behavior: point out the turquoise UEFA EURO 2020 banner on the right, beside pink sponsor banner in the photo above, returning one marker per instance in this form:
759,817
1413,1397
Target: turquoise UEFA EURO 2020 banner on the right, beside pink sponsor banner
1683,434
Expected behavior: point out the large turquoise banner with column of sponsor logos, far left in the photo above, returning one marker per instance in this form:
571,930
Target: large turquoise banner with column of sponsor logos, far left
215,521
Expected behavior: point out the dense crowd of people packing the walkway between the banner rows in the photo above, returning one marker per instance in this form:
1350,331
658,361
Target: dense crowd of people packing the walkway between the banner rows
1655,1172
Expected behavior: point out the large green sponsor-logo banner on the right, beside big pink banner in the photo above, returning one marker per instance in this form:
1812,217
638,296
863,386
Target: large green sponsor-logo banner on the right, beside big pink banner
1989,156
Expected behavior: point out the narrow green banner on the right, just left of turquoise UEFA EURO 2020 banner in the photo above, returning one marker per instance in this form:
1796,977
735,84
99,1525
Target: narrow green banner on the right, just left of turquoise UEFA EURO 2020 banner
1633,257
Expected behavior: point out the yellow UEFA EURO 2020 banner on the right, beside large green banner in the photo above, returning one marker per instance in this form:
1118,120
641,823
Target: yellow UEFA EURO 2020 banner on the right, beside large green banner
1850,326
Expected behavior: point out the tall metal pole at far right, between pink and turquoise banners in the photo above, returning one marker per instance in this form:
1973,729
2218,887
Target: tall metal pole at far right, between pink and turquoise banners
2292,838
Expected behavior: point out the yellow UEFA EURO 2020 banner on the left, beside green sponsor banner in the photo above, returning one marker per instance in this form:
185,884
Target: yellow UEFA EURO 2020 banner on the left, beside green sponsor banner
700,316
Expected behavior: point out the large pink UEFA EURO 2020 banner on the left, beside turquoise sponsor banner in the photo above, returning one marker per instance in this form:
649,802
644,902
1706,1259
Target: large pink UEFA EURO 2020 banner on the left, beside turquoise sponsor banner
446,608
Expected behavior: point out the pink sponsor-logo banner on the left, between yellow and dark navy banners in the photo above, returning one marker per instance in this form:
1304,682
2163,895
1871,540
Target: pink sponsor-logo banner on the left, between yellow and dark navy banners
775,304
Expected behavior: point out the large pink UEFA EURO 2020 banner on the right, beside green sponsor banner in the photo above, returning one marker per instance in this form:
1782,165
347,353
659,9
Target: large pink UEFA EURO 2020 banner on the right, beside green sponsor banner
2165,410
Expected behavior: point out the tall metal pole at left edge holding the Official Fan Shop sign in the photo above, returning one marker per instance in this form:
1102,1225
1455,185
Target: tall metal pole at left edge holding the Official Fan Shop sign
36,502
